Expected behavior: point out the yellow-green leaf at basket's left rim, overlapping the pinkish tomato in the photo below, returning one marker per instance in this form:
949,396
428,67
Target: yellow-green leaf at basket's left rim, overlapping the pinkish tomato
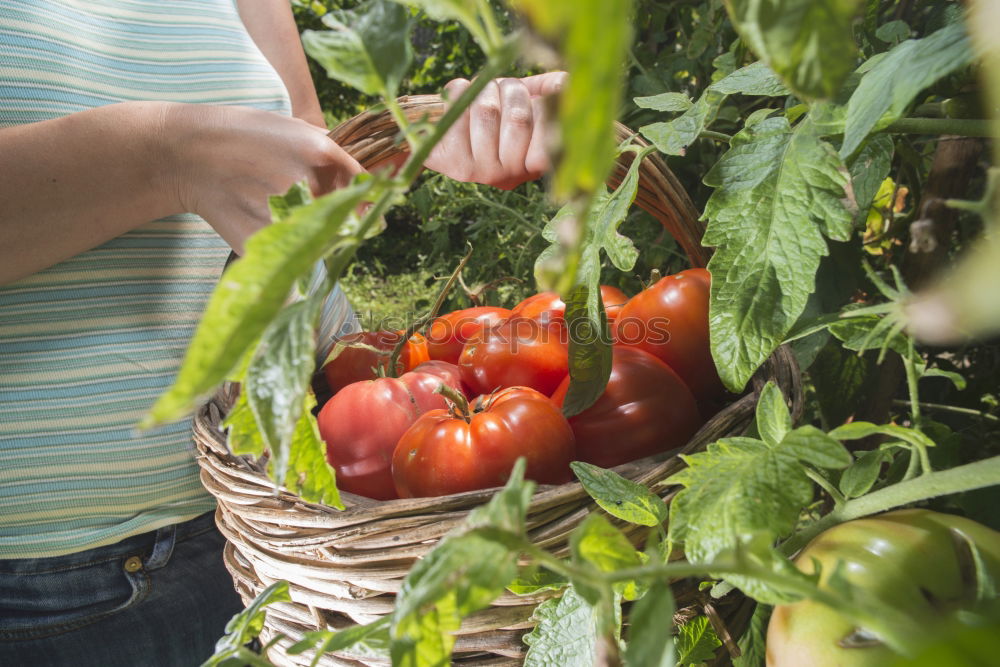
309,474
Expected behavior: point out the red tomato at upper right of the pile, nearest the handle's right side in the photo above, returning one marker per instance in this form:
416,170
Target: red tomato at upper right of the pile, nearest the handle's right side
669,319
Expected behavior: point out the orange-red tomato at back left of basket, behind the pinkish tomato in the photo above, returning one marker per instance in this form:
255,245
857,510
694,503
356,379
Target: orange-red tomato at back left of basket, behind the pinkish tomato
354,364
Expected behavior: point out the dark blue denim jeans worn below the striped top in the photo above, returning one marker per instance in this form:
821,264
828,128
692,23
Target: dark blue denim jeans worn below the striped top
160,598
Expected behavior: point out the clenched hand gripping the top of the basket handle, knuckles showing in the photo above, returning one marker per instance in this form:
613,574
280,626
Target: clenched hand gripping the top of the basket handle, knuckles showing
500,139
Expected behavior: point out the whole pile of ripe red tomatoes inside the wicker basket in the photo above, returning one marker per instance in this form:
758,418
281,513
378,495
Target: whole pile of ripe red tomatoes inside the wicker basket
484,386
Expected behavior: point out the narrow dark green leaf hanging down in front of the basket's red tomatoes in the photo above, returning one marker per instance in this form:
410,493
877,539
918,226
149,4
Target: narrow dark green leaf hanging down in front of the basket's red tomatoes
589,349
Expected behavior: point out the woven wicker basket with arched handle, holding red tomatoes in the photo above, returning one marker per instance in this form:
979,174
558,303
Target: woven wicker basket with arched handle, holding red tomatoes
345,567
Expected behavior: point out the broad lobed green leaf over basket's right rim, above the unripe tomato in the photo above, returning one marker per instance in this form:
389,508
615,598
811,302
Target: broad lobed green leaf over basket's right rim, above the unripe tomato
743,486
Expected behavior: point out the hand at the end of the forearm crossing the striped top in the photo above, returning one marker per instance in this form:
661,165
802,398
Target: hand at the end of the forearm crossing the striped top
226,161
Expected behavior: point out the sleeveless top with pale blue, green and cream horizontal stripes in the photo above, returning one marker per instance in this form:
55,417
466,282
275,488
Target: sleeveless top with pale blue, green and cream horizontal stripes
86,346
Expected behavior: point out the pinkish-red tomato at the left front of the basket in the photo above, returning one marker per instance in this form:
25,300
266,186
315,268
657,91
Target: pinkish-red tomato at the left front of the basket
362,423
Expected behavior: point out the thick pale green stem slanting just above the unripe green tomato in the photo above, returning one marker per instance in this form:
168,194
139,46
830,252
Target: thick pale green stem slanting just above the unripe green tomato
941,483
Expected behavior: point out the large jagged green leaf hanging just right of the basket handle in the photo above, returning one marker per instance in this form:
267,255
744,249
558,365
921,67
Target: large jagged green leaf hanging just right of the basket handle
778,192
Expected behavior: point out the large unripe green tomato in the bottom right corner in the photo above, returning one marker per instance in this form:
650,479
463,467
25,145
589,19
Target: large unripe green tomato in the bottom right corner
907,559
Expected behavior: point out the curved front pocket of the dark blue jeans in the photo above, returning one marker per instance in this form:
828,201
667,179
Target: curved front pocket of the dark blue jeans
55,597
